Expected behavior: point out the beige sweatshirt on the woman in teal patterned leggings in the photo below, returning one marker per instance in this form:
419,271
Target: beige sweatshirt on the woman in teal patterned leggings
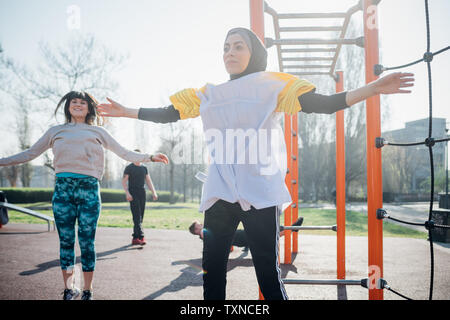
77,148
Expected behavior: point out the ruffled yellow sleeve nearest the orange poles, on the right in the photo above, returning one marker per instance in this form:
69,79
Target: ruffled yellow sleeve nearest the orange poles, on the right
294,88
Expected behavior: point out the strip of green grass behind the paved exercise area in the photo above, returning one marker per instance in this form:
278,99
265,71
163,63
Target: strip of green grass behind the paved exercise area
179,216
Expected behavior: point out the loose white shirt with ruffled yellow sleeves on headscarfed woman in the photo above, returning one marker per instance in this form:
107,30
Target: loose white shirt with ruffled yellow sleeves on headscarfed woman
241,122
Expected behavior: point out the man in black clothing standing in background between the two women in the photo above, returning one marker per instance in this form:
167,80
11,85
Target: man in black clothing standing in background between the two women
134,178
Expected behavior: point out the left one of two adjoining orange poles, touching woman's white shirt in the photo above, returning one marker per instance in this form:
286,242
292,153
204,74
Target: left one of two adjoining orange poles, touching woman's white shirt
288,180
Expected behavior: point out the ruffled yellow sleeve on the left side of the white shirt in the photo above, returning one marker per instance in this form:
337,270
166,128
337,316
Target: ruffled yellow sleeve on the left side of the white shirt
187,102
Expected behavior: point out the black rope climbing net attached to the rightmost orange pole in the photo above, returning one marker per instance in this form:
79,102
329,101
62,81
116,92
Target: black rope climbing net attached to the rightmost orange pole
430,225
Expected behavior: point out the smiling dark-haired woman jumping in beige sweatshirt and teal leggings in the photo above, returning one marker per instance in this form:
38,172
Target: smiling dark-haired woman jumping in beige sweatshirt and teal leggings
78,152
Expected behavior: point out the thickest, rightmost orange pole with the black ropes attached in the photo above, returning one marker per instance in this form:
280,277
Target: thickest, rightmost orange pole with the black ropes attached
373,128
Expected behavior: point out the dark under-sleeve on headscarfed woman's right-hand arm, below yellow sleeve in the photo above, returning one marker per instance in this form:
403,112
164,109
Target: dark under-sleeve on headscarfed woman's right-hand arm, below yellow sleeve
312,102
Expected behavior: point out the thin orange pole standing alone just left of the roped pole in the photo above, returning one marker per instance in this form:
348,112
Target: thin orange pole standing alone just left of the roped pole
340,183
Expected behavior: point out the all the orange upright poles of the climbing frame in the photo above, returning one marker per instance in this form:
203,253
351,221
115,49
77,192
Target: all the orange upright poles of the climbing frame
374,182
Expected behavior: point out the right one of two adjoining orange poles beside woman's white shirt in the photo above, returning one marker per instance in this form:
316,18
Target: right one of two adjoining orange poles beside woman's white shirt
295,202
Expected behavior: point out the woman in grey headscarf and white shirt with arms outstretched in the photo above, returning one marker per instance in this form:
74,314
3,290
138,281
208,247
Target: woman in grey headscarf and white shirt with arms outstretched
238,189
